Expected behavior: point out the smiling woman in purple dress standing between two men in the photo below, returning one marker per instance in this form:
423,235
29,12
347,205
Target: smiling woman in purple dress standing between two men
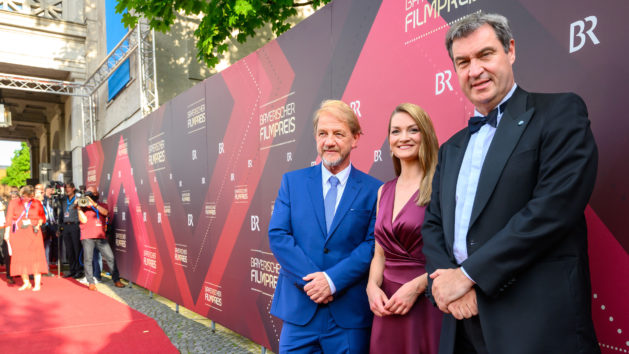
405,321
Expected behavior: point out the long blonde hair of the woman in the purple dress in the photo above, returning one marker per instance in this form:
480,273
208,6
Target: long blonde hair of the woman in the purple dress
428,149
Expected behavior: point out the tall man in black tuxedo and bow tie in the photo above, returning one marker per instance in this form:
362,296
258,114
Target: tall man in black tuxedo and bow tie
505,233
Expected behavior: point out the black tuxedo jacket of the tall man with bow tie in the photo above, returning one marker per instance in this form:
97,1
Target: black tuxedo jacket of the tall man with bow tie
527,239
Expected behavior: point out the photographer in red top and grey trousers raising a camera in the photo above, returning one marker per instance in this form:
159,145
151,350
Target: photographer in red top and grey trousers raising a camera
92,216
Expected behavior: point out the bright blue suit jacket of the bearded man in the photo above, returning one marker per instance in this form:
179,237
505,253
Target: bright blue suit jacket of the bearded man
299,241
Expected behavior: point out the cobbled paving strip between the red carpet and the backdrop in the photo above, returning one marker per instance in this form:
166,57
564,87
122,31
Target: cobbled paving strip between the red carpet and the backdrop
188,331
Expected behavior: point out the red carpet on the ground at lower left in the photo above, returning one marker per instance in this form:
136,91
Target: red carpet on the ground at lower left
65,317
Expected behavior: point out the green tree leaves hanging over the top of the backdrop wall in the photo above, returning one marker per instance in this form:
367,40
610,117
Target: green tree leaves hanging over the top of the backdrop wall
220,19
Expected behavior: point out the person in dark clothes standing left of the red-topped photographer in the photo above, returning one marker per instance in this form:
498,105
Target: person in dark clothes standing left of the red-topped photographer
70,232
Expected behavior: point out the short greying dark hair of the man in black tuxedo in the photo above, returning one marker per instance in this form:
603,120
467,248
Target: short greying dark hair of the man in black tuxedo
472,22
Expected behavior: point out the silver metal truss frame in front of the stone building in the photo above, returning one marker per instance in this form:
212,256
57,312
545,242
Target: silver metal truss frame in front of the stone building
141,39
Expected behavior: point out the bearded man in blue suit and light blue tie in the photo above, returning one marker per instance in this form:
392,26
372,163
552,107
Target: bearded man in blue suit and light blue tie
321,233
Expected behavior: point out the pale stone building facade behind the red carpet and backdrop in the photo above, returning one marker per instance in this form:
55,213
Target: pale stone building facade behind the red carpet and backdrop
63,43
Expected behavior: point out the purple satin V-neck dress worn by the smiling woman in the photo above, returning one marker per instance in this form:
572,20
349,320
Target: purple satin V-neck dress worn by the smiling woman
417,331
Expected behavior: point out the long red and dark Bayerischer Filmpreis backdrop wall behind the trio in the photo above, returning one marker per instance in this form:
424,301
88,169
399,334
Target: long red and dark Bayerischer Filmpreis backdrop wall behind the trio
192,185
